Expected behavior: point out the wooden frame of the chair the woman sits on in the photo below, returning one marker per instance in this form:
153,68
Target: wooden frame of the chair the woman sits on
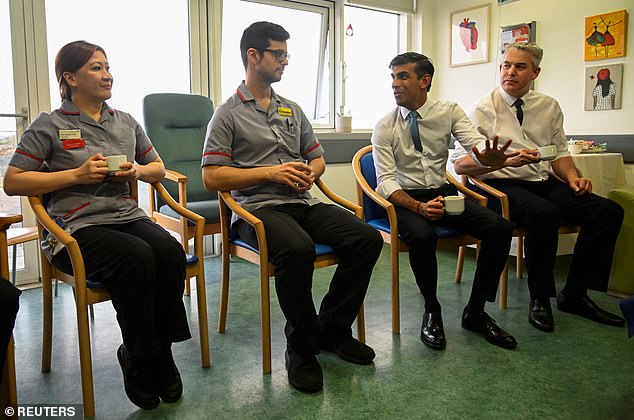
85,296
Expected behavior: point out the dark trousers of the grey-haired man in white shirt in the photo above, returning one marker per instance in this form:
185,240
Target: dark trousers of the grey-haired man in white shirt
540,208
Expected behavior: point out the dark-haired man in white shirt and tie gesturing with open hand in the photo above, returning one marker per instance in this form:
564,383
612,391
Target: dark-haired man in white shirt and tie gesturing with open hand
410,153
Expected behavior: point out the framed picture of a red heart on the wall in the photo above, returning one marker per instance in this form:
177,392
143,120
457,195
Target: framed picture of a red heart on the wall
469,36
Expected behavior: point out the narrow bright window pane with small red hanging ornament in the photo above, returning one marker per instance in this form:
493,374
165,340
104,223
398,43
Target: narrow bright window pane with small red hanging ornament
371,40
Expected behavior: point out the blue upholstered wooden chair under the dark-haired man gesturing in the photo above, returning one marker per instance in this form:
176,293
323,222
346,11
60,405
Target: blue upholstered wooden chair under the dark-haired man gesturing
380,214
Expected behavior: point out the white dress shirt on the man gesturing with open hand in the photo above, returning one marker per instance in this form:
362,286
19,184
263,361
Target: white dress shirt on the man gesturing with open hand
399,165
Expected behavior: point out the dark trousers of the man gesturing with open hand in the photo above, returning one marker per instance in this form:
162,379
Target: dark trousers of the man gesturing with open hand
420,236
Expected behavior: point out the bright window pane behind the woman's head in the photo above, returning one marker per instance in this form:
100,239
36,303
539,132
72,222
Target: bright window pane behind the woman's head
147,43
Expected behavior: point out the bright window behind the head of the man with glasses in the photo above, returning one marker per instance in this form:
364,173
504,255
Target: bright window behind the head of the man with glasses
307,79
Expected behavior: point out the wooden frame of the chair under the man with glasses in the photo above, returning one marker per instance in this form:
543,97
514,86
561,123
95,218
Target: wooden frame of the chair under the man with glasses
228,205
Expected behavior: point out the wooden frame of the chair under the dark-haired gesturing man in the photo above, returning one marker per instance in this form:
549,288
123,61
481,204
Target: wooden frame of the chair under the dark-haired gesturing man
396,245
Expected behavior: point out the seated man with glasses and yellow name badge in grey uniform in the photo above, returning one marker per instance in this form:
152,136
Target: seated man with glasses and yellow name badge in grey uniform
262,147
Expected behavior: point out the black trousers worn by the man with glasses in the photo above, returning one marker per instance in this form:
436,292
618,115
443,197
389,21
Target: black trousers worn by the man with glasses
291,230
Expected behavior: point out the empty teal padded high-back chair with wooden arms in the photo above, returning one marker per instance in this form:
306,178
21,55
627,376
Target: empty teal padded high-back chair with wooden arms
177,123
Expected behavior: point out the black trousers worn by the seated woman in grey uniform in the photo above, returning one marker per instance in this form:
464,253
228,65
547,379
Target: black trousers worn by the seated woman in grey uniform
143,269
